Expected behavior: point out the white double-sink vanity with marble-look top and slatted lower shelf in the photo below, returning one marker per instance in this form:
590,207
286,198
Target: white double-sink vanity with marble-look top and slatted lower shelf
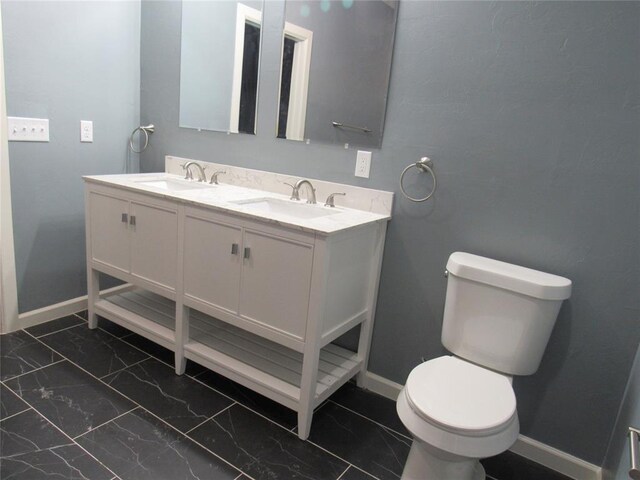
237,277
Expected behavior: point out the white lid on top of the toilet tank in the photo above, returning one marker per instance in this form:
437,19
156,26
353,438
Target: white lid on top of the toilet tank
510,277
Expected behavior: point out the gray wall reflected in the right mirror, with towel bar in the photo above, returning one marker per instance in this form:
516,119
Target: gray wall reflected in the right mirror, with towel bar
349,72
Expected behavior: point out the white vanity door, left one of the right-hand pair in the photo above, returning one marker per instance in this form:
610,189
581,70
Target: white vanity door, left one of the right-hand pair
212,261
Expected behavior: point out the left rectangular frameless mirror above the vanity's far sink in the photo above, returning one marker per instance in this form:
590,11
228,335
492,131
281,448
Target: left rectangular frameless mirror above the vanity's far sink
219,63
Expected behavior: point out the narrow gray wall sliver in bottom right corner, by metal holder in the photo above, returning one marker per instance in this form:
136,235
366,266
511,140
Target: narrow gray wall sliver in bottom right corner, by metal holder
617,462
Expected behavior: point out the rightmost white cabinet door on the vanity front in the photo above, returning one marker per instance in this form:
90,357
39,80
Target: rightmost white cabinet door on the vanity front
276,278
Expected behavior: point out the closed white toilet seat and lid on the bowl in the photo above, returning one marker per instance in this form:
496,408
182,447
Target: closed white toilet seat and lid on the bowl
460,397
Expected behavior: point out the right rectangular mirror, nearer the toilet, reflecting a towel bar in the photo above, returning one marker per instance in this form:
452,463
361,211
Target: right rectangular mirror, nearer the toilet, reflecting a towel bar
336,63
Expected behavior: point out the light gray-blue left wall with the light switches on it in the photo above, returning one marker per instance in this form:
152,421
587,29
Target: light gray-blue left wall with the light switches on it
65,61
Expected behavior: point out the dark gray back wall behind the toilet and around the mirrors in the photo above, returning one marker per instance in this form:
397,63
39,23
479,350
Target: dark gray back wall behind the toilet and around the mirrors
531,113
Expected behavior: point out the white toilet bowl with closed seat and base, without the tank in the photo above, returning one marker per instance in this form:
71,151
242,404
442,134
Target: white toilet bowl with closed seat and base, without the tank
457,413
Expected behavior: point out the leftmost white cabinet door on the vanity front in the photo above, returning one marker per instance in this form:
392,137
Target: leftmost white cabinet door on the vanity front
109,224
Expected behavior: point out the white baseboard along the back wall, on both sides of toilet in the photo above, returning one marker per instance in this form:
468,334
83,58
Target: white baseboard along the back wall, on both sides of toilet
533,450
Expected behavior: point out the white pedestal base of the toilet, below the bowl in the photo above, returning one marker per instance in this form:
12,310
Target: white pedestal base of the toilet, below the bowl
426,462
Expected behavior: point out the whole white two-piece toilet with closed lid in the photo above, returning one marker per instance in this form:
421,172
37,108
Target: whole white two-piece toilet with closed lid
497,321
